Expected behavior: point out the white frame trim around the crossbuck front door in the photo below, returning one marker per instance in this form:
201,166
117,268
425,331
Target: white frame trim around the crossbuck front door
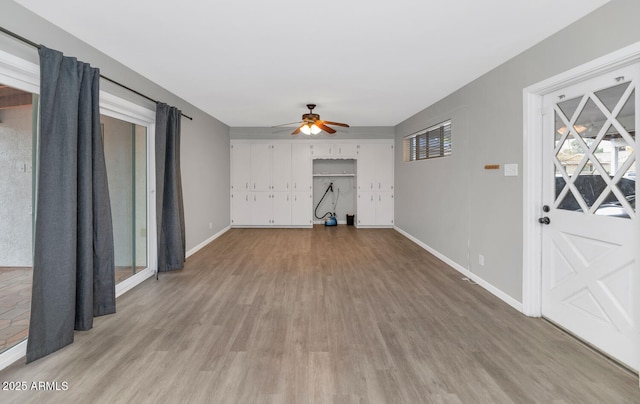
532,158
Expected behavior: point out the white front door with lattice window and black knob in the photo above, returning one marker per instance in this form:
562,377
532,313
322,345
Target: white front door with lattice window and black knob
590,227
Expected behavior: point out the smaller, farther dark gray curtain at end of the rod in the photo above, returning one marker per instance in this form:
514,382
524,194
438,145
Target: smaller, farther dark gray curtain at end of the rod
169,205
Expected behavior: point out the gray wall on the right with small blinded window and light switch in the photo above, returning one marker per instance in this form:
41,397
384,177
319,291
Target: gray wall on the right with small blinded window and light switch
462,210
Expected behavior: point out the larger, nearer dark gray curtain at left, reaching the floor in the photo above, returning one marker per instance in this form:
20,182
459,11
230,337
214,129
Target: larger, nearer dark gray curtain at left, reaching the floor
73,263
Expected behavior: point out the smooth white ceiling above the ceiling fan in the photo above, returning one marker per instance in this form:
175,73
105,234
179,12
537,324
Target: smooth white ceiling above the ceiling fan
364,62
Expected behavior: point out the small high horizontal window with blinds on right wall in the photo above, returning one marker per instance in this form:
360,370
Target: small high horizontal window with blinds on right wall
428,143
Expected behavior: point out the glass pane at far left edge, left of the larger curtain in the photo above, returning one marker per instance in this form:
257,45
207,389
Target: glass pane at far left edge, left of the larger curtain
18,110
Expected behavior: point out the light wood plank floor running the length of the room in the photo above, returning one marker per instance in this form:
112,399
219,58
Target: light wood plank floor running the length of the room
333,314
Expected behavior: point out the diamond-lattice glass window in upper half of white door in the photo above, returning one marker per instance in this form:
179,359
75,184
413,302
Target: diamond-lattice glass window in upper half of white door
594,160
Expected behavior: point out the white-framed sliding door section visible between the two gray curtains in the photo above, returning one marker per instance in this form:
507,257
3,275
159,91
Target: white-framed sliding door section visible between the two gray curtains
128,134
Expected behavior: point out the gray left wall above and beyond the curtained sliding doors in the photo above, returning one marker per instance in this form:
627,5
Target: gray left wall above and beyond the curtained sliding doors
205,140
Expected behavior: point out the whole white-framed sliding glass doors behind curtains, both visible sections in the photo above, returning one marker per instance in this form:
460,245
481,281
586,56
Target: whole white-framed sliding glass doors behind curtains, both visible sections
128,132
